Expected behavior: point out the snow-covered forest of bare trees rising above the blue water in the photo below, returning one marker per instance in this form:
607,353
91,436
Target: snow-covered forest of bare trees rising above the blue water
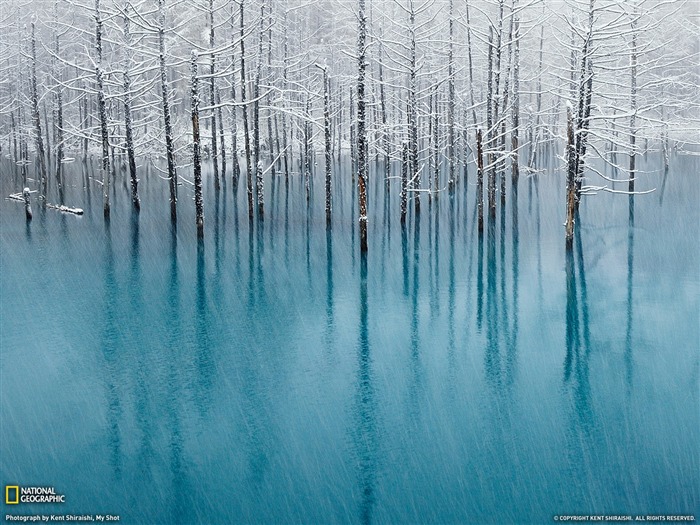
432,92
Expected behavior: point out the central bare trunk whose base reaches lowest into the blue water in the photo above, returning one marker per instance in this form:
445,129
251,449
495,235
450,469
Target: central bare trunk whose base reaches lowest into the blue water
361,130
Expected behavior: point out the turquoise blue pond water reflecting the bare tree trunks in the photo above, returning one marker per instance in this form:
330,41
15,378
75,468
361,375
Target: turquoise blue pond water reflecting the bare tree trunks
271,375
